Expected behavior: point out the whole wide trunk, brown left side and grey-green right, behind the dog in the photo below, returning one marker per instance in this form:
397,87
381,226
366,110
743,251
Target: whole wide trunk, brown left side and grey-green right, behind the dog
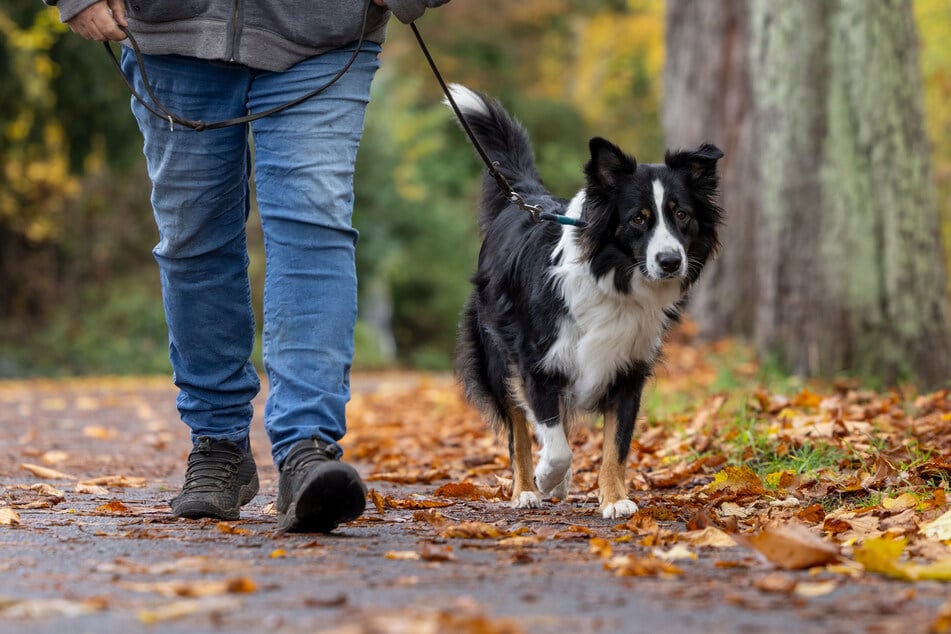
831,260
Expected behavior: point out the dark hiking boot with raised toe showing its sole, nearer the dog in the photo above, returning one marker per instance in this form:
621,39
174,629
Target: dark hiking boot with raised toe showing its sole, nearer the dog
316,491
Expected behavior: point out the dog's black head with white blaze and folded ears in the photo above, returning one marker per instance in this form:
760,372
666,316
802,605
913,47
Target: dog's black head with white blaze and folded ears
656,220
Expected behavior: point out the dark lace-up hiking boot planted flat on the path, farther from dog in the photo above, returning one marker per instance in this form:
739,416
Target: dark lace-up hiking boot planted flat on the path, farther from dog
220,479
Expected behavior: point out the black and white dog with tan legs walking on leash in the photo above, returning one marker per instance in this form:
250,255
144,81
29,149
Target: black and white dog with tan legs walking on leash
565,322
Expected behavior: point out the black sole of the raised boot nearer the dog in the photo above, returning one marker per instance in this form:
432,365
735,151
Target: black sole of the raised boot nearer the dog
333,495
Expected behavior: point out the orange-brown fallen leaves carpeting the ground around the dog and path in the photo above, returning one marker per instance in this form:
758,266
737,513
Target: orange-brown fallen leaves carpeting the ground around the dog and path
786,482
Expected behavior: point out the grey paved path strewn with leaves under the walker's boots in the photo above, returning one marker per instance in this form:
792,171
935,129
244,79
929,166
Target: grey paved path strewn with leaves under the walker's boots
112,559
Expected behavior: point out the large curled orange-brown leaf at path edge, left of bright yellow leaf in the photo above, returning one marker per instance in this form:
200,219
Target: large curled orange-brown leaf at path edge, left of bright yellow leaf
791,546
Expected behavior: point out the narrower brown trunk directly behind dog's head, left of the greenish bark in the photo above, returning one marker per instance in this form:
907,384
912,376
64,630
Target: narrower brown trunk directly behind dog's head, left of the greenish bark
707,46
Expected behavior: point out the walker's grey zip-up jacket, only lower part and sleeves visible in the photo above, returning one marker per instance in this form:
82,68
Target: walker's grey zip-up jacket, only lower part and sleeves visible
270,35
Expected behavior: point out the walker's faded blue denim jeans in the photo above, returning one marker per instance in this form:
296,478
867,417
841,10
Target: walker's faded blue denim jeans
303,163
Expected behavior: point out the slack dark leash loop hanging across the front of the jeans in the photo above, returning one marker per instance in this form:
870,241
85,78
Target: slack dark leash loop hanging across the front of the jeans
160,111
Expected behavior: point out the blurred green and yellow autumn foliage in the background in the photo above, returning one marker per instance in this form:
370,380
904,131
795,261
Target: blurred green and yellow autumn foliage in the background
78,288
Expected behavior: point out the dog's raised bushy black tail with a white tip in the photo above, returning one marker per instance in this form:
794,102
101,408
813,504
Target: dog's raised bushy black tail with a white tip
506,143
